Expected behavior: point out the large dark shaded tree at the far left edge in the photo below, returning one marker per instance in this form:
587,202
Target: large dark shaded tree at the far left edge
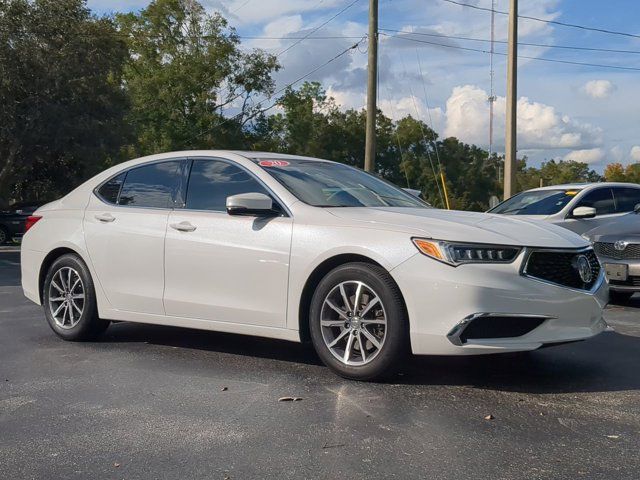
61,101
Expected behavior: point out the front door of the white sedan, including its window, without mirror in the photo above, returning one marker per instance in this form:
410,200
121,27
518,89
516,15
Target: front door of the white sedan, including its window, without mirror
226,268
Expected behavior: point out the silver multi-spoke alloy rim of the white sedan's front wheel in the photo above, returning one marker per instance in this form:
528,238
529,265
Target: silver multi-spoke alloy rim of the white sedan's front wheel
353,323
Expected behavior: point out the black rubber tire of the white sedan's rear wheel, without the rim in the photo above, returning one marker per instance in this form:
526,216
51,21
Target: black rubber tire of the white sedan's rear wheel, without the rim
89,326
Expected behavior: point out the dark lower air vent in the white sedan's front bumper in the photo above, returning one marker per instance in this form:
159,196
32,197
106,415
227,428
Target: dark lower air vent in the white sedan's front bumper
500,327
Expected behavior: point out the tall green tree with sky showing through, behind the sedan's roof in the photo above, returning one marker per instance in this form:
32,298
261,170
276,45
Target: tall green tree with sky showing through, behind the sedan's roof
184,73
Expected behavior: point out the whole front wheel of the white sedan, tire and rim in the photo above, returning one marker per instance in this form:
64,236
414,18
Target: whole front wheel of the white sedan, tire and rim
358,323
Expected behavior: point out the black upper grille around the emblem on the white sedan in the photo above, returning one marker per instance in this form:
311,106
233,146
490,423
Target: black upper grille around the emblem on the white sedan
562,267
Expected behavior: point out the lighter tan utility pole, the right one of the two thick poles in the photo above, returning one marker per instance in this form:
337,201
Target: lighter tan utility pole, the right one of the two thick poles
512,103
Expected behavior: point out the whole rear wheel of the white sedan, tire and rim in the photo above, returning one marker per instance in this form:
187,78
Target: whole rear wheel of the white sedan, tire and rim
69,300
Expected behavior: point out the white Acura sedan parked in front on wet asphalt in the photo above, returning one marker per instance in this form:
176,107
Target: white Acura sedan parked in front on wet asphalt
298,248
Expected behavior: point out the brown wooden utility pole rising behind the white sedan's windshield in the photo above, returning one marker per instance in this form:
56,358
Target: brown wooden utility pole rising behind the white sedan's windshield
372,84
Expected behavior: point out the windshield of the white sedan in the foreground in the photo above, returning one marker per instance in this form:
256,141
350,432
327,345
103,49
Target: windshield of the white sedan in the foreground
326,184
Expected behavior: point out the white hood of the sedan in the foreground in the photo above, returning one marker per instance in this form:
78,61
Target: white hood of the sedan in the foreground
464,226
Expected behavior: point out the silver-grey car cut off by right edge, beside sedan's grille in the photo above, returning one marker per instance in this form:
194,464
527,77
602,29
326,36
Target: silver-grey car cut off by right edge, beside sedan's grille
617,245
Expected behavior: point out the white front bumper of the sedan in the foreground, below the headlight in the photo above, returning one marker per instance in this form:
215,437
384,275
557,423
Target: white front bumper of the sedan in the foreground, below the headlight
439,297
